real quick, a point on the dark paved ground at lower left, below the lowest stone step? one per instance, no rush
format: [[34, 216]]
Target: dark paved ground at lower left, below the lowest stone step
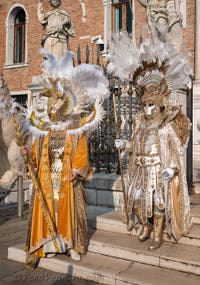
[[12, 232]]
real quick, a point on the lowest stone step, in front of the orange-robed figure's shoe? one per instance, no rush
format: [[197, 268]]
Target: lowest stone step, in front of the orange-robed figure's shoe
[[109, 270]]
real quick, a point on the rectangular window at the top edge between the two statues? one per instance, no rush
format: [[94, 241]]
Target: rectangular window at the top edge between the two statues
[[121, 16]]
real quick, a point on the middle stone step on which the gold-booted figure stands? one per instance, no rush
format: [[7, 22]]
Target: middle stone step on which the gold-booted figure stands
[[178, 257]]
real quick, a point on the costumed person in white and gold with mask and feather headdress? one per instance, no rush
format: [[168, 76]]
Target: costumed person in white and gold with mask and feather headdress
[[156, 190]]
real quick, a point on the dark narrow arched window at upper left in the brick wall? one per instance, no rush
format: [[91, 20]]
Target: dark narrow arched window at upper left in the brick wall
[[19, 37]]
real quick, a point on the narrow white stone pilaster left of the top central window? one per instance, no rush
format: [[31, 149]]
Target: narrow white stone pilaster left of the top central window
[[107, 22]]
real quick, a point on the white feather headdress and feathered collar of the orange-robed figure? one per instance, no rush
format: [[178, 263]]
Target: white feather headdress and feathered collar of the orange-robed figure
[[84, 89]]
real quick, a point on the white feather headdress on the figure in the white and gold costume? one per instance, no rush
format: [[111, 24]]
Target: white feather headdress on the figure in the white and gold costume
[[149, 62]]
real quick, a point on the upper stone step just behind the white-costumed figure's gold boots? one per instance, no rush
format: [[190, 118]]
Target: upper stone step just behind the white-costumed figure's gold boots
[[111, 221]]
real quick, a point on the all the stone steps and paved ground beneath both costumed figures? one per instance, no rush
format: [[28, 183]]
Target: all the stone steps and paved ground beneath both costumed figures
[[114, 257]]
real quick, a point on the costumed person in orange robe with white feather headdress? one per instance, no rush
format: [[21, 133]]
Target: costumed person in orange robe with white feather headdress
[[58, 156]]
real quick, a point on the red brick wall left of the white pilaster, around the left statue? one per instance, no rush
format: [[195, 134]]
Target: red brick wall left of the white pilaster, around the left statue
[[18, 78]]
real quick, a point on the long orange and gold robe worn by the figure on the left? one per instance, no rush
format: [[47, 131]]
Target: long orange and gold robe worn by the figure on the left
[[54, 156]]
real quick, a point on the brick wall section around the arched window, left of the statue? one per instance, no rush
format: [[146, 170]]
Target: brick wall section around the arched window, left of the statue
[[18, 78]]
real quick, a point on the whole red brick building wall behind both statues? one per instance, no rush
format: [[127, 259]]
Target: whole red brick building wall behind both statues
[[18, 78]]
